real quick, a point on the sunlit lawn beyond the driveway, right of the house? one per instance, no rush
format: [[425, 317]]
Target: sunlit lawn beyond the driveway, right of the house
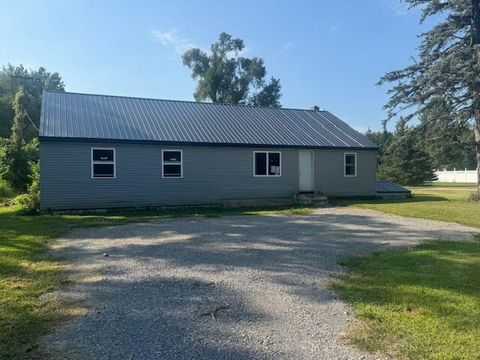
[[429, 202]]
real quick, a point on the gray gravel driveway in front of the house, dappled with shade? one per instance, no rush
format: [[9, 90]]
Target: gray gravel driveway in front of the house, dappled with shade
[[249, 287]]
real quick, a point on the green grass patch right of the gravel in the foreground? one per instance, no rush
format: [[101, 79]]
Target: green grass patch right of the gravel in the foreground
[[418, 303]]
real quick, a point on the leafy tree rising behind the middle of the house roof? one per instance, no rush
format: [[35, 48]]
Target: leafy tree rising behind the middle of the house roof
[[226, 77]]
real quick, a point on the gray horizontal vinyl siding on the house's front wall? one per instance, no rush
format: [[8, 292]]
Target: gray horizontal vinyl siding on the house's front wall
[[210, 175]]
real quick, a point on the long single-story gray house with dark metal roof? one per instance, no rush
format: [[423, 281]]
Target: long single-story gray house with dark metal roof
[[101, 151]]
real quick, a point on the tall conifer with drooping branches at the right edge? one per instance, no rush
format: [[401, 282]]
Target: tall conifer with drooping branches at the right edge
[[448, 67]]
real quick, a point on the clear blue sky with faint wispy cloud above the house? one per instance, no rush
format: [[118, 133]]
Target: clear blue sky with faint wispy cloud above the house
[[325, 53]]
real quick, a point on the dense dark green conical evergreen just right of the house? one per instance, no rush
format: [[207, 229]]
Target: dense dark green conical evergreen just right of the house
[[404, 160]]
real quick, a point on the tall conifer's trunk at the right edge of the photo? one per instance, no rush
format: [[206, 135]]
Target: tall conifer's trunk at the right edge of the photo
[[475, 87]]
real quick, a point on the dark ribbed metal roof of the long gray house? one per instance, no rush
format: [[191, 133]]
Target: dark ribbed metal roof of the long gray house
[[83, 116]]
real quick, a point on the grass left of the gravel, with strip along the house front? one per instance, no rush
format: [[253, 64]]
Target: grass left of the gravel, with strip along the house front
[[27, 269]]
